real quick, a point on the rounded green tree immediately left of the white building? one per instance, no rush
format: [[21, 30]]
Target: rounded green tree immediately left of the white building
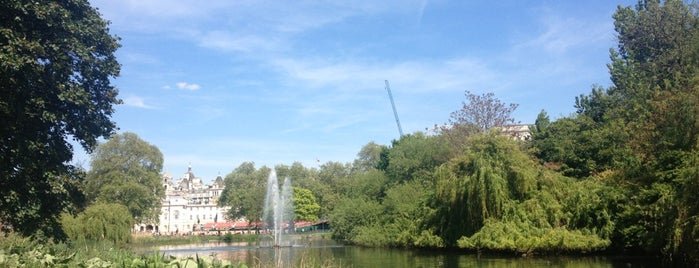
[[126, 170]]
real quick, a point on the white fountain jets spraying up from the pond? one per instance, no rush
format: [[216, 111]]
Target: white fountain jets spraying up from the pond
[[279, 206]]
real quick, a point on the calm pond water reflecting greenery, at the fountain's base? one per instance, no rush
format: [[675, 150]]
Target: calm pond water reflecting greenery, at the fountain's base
[[328, 253]]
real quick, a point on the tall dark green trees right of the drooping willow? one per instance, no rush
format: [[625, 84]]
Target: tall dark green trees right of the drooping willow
[[641, 134]]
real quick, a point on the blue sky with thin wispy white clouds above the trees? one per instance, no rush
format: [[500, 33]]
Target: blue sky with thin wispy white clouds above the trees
[[217, 83]]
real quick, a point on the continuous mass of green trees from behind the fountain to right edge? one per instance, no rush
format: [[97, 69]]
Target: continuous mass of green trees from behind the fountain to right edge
[[619, 175]]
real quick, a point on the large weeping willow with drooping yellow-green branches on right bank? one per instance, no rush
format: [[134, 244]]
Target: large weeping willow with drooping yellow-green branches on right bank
[[481, 184]]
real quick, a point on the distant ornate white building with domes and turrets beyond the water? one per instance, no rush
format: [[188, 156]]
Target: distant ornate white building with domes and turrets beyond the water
[[188, 205]]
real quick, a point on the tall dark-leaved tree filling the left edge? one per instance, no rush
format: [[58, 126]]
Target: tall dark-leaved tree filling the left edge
[[56, 62]]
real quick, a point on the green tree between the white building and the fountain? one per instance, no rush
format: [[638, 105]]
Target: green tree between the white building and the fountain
[[244, 192]]
